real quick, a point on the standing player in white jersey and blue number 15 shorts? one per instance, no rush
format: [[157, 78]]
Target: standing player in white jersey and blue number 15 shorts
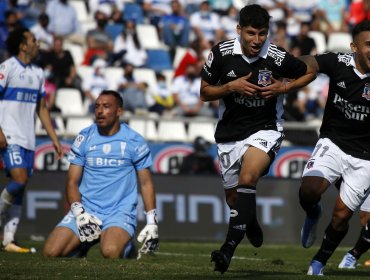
[[21, 96]]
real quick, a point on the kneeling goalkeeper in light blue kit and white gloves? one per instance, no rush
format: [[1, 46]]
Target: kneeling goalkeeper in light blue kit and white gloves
[[106, 159]]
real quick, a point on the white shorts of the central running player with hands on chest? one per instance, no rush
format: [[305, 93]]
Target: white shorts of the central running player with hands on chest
[[230, 154]]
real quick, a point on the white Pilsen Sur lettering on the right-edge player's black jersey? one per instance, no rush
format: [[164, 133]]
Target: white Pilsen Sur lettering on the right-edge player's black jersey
[[351, 111]]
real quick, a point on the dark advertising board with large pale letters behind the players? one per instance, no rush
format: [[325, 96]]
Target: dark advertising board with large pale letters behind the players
[[189, 208]]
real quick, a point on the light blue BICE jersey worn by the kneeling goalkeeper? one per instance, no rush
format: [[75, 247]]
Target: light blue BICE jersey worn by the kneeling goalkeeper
[[109, 180]]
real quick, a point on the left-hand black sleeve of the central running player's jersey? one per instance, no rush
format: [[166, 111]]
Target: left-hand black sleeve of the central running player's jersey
[[211, 70]]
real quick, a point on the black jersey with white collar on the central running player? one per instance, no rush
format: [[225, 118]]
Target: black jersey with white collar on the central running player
[[240, 116]]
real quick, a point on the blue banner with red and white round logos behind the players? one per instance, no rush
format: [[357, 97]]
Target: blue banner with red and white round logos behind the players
[[167, 158]]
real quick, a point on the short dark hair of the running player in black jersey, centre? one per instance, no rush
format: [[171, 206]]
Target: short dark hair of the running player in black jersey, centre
[[255, 16]]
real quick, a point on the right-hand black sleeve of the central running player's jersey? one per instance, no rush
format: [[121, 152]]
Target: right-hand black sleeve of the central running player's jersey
[[291, 67]]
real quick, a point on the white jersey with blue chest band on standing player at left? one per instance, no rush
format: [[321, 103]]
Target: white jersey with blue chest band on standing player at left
[[21, 87]]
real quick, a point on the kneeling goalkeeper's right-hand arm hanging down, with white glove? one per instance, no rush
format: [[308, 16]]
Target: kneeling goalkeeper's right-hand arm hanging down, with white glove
[[149, 234]]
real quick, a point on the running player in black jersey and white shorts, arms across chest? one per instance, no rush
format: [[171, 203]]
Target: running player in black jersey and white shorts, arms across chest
[[249, 131]]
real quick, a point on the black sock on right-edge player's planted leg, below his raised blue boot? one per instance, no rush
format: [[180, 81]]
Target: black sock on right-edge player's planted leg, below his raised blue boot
[[332, 238]]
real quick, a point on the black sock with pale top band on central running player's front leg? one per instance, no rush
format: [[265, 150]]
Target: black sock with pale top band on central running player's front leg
[[242, 214]]
